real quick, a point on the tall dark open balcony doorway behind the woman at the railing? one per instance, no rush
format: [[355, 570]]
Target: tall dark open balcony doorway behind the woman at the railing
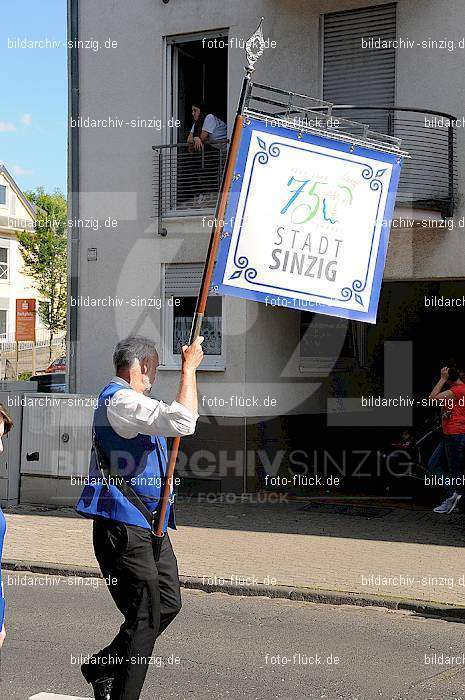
[[196, 71]]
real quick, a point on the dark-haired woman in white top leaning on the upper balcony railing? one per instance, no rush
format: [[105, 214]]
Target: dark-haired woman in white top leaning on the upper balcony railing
[[207, 143]]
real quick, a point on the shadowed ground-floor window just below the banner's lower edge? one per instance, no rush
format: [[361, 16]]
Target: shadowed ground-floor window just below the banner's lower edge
[[330, 344]]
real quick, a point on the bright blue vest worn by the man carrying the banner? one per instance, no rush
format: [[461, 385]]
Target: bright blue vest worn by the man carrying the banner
[[141, 460]]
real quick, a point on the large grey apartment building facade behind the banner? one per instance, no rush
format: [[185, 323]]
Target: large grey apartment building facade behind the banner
[[276, 384]]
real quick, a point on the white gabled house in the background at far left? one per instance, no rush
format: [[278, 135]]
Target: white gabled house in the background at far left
[[16, 213]]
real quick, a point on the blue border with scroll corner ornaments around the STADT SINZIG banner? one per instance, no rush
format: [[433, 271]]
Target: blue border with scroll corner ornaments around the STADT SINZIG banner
[[280, 296]]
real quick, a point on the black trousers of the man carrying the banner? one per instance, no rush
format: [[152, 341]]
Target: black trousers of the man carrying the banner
[[146, 593]]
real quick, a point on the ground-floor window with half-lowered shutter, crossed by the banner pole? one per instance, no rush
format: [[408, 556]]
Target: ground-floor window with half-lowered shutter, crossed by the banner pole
[[182, 283]]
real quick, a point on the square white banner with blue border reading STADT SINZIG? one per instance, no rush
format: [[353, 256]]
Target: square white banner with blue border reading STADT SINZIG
[[307, 223]]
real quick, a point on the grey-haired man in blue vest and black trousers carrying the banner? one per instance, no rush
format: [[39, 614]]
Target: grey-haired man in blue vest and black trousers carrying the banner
[[122, 495]]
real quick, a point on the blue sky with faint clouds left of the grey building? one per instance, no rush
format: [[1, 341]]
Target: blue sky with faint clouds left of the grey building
[[33, 94]]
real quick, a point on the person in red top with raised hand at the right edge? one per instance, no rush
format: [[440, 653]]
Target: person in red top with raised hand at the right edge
[[448, 459]]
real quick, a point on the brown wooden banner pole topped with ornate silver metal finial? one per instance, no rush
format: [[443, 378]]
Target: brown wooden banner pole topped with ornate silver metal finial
[[254, 49]]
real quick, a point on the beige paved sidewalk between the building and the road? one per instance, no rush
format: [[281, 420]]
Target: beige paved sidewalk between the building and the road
[[249, 547]]
